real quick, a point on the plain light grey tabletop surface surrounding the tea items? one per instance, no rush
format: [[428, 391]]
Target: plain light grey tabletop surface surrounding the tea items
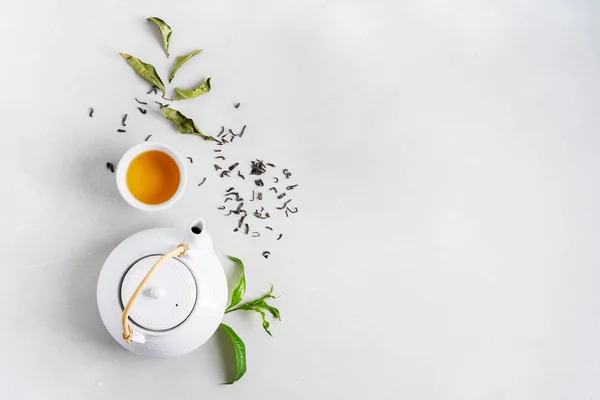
[[447, 156]]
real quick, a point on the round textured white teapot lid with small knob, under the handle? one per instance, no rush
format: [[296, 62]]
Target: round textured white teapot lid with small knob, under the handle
[[169, 298]]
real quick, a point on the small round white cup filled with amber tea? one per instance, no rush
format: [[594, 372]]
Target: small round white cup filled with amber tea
[[151, 176]]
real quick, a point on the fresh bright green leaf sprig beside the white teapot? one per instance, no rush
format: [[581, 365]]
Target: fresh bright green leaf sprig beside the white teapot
[[259, 305]]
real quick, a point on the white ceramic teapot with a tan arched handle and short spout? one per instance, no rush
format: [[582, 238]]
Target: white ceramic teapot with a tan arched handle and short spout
[[155, 304]]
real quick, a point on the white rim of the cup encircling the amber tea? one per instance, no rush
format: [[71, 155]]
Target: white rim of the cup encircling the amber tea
[[125, 162]]
